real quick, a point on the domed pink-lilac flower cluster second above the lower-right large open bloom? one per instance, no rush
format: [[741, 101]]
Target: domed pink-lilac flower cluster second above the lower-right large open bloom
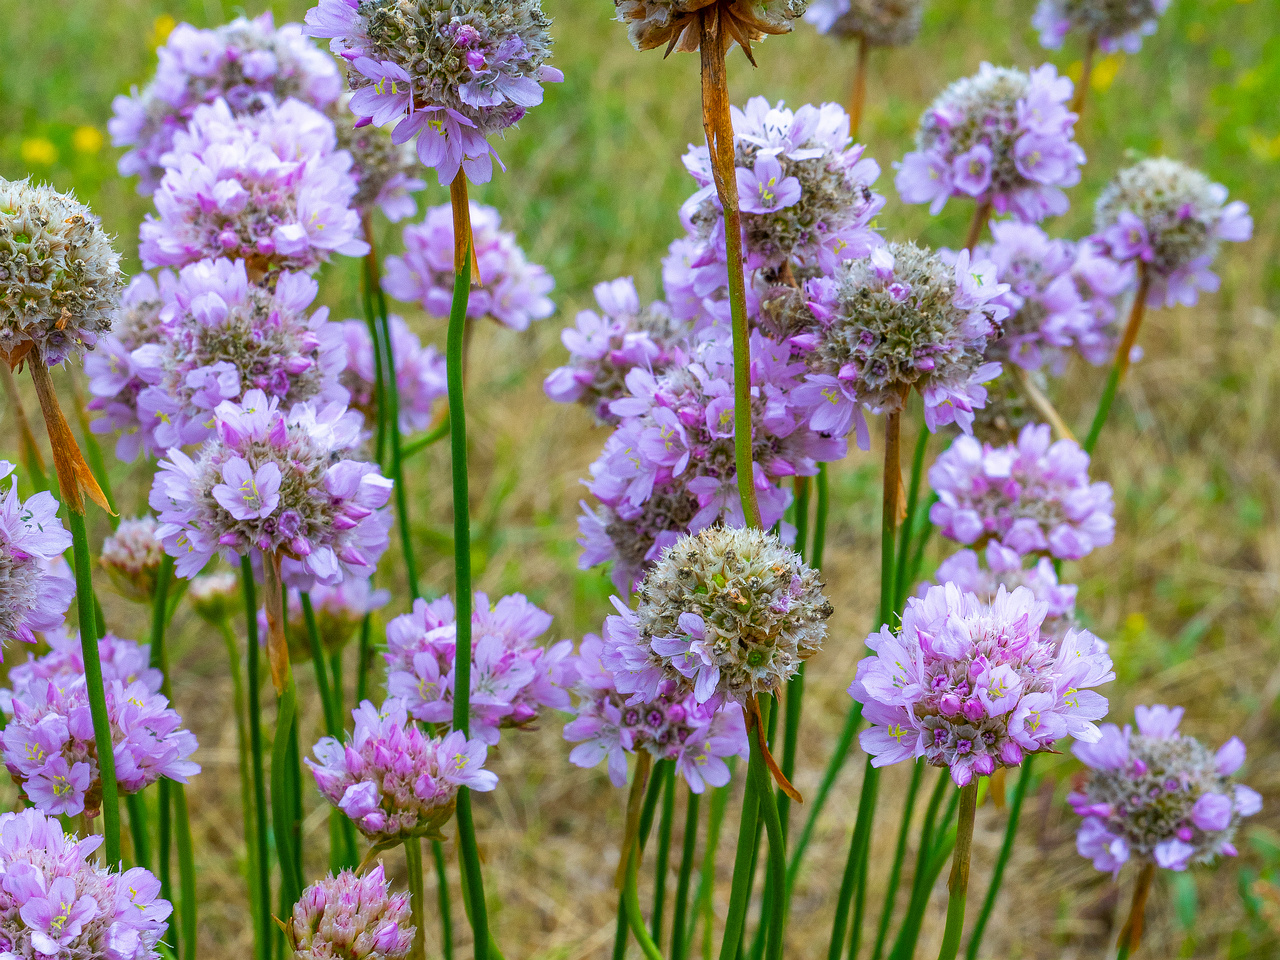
[[1032, 496]]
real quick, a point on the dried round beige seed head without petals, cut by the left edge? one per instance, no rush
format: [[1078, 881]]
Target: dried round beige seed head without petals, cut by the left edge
[[60, 275]]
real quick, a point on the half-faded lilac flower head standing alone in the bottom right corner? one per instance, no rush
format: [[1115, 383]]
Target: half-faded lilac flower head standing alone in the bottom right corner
[[1159, 797]]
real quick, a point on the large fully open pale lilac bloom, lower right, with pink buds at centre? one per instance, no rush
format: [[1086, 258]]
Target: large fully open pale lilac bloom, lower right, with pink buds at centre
[[973, 687]]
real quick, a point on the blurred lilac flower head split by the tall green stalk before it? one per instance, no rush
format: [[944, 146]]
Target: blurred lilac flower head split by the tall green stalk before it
[[513, 291]]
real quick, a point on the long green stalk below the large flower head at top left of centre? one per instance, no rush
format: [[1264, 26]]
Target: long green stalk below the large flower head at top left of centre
[[474, 889]]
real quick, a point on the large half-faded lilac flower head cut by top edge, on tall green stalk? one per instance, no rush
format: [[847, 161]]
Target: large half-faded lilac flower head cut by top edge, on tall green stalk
[[451, 76]]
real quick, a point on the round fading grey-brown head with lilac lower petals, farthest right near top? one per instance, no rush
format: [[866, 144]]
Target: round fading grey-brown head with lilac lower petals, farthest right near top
[[1173, 220]]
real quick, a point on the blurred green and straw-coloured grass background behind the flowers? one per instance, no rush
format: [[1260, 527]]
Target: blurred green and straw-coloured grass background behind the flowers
[[1188, 595]]
